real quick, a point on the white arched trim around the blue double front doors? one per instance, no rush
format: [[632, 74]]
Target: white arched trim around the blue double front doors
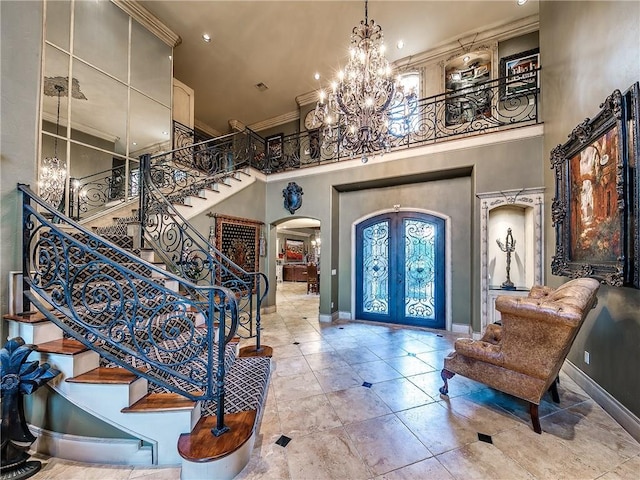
[[447, 248]]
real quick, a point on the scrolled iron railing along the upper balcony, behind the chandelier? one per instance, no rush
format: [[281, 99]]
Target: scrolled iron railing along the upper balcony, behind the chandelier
[[470, 111]]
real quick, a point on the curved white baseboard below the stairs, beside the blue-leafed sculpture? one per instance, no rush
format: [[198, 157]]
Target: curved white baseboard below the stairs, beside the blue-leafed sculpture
[[114, 451]]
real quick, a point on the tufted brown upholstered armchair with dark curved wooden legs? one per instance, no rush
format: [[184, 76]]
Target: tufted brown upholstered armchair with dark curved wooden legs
[[523, 355]]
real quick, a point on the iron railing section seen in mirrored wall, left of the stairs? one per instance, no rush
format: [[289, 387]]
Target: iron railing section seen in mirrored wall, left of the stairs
[[93, 193]]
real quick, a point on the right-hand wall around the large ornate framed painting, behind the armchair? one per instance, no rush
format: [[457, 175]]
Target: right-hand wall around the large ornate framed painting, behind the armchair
[[600, 52]]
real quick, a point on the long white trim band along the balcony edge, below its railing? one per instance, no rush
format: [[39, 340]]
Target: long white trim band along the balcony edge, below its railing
[[475, 141]]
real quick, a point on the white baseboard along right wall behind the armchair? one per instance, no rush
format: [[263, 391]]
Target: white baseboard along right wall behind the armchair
[[613, 407]]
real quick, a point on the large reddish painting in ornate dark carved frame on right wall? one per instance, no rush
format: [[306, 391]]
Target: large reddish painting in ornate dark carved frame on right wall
[[590, 211]]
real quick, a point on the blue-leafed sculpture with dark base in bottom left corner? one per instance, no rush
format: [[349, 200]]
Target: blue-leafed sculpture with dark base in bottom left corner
[[17, 379]]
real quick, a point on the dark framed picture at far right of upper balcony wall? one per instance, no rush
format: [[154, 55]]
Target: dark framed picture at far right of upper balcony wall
[[520, 73]]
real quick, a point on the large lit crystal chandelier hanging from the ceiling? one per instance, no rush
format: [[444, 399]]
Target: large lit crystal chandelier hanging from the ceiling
[[355, 113]]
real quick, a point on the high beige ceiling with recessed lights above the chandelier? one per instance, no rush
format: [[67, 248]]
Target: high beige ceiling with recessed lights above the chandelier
[[283, 43]]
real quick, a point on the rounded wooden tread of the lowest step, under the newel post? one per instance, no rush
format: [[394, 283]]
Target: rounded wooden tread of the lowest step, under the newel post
[[202, 446]]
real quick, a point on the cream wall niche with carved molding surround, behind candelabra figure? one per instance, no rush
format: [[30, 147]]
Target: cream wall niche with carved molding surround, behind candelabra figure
[[521, 210]]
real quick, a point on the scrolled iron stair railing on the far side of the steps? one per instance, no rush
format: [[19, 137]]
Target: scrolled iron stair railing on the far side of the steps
[[181, 246]]
